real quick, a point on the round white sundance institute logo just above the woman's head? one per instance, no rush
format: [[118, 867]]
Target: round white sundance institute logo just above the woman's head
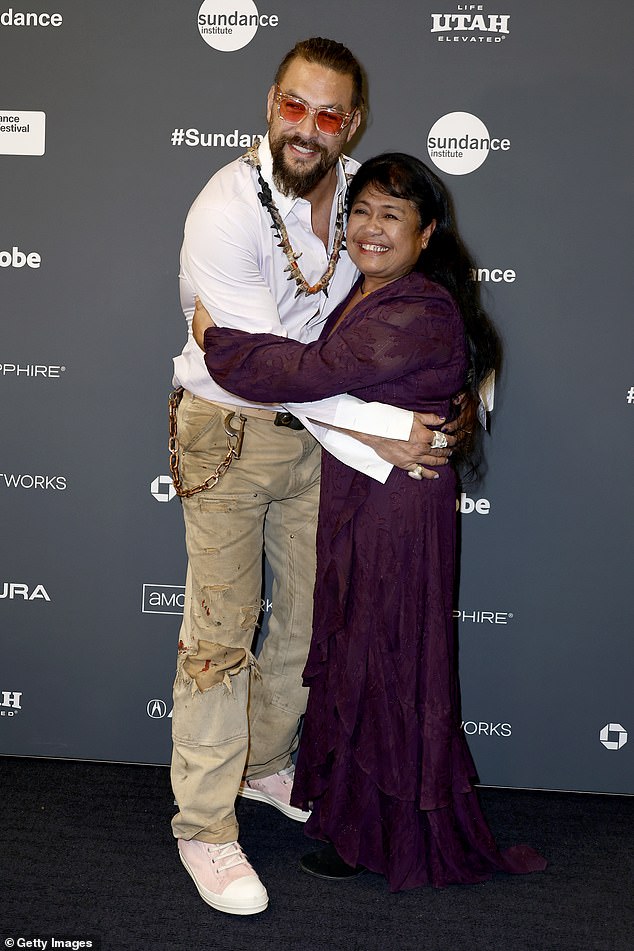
[[459, 143]]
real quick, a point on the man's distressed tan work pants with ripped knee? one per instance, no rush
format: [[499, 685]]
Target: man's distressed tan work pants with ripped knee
[[232, 714]]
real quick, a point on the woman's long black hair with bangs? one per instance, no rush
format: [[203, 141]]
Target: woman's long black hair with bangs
[[446, 261]]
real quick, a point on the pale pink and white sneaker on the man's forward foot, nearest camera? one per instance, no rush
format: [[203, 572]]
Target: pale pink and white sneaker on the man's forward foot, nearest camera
[[223, 876]]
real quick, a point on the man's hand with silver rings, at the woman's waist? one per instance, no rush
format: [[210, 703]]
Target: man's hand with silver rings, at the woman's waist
[[415, 453]]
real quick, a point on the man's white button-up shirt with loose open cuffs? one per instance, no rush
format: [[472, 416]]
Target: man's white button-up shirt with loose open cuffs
[[230, 258]]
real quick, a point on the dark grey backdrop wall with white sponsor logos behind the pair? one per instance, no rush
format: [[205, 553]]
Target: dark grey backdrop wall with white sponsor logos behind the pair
[[112, 117]]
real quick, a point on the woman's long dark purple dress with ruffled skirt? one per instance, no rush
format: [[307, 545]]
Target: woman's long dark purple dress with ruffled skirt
[[383, 759]]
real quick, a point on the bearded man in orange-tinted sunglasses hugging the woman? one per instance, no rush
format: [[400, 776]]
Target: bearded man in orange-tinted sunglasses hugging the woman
[[263, 251]]
